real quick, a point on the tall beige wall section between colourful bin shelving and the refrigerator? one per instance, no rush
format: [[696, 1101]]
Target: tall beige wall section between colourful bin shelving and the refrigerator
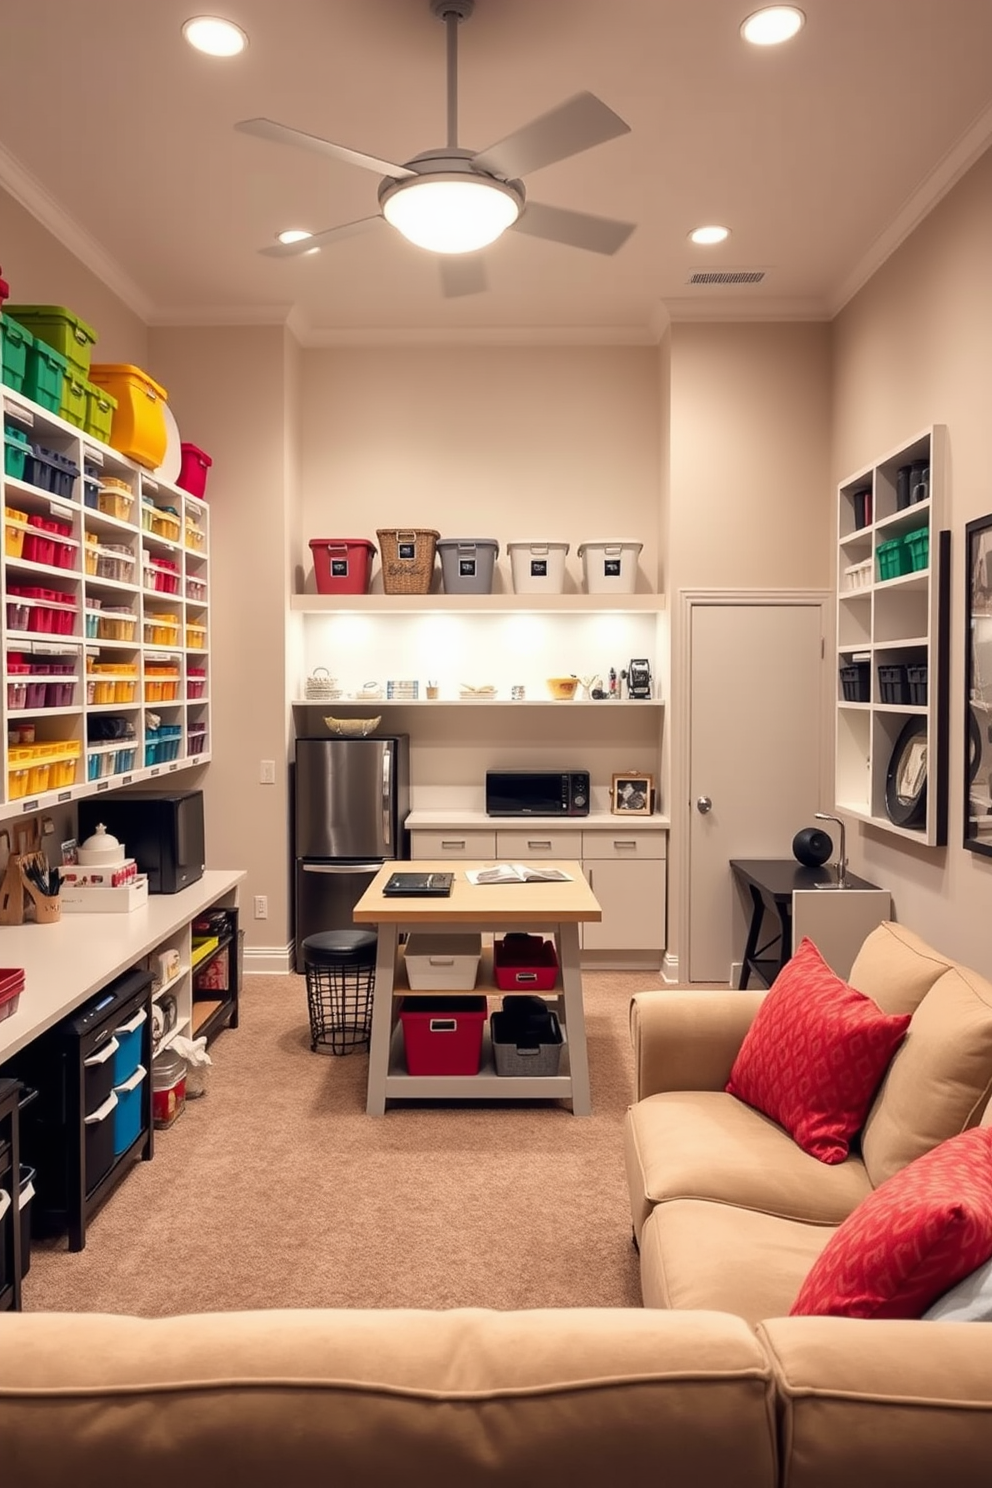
[[228, 394]]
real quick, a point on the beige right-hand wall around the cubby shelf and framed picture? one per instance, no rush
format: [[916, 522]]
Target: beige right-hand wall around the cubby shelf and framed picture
[[912, 349]]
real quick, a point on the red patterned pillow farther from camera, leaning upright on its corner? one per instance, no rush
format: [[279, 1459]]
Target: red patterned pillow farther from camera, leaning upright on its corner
[[816, 1054]]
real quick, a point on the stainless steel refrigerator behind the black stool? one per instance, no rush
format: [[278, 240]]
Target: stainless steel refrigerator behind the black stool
[[352, 800]]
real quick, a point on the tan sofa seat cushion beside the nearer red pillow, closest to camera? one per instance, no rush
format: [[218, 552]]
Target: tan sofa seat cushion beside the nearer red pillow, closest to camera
[[703, 1255]]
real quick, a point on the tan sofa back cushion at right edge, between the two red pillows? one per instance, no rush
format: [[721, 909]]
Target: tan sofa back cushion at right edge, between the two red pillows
[[939, 1081]]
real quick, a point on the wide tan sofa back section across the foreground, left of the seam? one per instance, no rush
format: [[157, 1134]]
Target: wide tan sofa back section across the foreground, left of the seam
[[578, 1396]]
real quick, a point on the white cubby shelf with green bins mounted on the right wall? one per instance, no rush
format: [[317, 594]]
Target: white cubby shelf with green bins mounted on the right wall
[[893, 597]]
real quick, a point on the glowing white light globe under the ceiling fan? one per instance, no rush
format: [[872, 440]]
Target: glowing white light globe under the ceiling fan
[[450, 215]]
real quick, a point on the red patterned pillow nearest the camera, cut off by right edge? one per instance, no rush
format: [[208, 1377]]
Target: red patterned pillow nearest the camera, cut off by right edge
[[915, 1237]]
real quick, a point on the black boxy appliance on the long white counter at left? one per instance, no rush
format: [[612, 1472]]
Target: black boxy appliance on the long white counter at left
[[163, 833]]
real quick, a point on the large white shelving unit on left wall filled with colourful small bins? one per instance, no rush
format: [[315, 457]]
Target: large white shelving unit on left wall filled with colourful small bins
[[154, 630]]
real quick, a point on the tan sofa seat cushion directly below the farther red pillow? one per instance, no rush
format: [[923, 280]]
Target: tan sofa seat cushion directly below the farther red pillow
[[707, 1145]]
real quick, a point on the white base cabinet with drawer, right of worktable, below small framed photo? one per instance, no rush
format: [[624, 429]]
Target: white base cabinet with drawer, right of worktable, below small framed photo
[[627, 873]]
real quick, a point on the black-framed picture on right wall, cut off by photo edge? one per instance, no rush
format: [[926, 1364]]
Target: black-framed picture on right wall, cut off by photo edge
[[978, 670]]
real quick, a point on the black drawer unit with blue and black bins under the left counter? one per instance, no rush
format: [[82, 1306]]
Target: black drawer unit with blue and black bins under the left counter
[[68, 1133]]
